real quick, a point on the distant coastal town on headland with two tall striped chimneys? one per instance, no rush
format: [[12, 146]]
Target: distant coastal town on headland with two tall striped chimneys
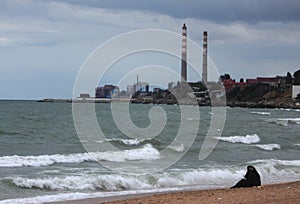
[[260, 92]]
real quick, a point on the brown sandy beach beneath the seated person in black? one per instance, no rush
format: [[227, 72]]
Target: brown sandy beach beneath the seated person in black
[[282, 193]]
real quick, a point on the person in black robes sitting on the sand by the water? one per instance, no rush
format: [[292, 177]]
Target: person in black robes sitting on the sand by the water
[[251, 179]]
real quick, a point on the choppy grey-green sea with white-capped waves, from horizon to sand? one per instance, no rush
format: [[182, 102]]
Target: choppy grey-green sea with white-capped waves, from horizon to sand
[[43, 158]]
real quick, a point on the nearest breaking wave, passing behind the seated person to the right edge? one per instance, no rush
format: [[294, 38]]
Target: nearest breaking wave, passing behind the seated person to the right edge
[[270, 170]]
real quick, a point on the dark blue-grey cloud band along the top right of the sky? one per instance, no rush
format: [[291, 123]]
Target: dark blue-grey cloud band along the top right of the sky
[[250, 11]]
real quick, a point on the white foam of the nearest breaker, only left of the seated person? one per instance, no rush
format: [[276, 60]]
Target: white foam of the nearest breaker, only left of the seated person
[[122, 182]]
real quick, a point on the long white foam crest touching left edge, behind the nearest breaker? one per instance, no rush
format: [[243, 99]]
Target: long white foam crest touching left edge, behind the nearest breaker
[[147, 152]]
